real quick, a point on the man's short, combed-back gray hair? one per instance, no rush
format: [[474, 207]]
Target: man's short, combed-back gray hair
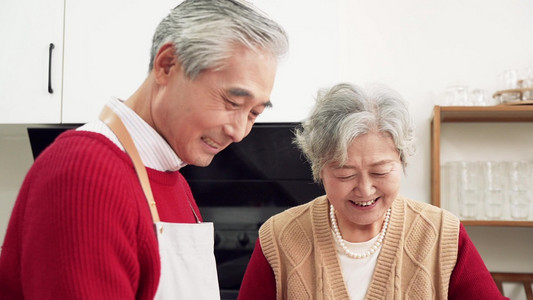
[[204, 33]]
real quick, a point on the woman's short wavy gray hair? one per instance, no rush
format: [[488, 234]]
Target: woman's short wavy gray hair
[[345, 112]]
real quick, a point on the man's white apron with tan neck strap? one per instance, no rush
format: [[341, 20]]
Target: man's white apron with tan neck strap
[[188, 268]]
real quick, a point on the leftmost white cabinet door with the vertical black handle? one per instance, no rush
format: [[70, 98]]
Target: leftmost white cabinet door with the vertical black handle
[[27, 30]]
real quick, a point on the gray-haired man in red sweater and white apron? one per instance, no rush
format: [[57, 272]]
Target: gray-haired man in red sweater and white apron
[[104, 212]]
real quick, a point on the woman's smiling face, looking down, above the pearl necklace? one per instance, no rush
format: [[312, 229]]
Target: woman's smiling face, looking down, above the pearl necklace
[[364, 188]]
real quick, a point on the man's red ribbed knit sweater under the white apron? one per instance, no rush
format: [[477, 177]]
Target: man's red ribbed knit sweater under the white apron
[[81, 227]]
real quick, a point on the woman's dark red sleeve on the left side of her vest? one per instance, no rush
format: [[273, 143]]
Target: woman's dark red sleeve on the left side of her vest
[[258, 282]]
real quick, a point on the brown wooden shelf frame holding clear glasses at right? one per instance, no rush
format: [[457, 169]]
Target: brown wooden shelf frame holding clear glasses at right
[[465, 114]]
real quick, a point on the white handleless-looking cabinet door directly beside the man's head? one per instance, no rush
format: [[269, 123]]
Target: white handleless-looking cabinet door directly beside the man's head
[[107, 52]]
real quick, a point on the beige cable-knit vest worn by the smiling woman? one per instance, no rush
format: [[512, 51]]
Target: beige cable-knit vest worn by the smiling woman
[[416, 260]]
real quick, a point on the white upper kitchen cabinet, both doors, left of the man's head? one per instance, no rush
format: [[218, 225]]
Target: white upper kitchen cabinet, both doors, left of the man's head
[[106, 54]]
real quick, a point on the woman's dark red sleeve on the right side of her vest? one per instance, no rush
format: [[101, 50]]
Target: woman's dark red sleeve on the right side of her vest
[[470, 278]]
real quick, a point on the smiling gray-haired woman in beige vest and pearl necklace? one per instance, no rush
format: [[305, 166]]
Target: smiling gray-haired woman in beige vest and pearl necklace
[[362, 240]]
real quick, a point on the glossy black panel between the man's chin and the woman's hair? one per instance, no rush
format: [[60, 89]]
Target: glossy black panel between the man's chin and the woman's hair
[[264, 170]]
